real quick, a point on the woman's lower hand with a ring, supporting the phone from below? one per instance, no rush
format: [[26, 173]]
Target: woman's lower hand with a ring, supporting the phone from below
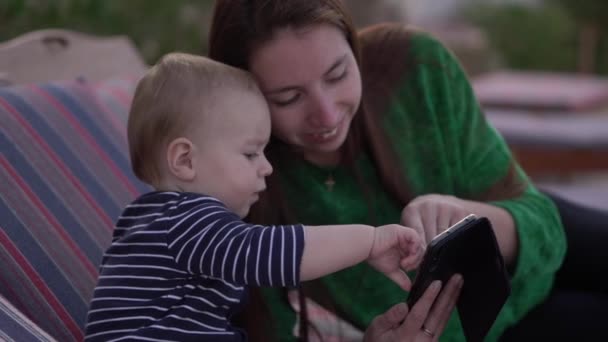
[[424, 322]]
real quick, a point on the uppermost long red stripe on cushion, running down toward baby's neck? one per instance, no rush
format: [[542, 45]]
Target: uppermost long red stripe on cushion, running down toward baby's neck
[[70, 118]]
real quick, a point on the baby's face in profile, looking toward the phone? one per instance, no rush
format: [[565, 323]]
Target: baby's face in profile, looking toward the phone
[[230, 163]]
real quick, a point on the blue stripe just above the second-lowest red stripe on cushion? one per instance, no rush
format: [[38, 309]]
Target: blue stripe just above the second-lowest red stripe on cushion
[[52, 202]]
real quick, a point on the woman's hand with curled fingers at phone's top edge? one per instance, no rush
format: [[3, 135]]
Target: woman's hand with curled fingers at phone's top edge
[[432, 214]]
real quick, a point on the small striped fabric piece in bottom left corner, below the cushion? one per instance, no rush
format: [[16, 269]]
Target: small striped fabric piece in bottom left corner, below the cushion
[[14, 326]]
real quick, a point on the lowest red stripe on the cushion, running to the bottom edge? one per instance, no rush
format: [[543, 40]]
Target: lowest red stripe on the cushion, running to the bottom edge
[[41, 286]]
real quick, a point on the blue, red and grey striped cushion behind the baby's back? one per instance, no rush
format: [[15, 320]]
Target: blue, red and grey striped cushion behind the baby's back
[[64, 178]]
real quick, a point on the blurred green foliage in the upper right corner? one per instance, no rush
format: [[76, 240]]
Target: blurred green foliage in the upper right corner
[[544, 37]]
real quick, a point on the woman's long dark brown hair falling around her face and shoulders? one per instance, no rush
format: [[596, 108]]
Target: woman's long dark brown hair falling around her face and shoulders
[[238, 27]]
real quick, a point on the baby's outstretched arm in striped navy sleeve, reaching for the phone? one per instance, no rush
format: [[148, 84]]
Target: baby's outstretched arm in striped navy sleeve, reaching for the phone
[[210, 241]]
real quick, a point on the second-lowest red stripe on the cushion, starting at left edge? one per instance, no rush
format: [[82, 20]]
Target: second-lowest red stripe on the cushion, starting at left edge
[[51, 219]]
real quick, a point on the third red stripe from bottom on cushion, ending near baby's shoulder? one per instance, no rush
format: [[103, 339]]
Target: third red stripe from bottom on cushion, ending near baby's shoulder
[[109, 223]]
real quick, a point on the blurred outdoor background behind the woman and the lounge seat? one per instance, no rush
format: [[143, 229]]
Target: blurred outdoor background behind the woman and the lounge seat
[[539, 67]]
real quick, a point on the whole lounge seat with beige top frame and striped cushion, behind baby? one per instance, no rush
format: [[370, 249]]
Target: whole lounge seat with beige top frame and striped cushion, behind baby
[[64, 174]]
